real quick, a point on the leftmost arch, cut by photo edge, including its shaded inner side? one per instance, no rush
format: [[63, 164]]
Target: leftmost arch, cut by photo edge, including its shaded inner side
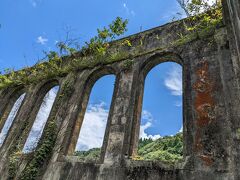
[[10, 111]]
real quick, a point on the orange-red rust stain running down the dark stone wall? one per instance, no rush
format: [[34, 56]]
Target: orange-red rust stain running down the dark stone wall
[[204, 106]]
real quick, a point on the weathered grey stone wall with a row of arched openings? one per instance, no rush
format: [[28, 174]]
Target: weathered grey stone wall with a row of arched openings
[[211, 100]]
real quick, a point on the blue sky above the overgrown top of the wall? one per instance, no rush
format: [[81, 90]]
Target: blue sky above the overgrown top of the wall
[[30, 26]]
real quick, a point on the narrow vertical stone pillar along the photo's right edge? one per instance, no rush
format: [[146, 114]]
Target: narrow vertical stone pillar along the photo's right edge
[[232, 20]]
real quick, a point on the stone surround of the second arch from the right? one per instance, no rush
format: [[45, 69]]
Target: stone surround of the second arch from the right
[[92, 78]]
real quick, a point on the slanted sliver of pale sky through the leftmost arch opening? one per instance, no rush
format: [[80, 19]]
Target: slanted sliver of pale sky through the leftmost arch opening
[[10, 118]]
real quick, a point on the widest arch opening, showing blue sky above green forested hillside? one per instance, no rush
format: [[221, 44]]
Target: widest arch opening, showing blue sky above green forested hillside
[[159, 135]]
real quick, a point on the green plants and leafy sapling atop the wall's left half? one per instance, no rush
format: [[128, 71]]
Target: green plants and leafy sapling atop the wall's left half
[[53, 64]]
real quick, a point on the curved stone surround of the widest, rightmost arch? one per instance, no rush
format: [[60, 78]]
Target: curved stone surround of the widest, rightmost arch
[[145, 67]]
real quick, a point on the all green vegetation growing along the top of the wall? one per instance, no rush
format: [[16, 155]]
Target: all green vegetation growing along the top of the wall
[[95, 51]]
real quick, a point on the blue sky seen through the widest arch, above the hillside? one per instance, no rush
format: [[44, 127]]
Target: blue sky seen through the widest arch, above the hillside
[[162, 100]]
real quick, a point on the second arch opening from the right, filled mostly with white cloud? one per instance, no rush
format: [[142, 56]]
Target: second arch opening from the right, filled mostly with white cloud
[[92, 128]]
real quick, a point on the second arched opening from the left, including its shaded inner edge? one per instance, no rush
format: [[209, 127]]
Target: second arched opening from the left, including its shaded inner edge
[[48, 94]]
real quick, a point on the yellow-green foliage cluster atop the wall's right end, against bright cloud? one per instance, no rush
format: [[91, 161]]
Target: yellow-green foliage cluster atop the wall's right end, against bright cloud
[[204, 17]]
